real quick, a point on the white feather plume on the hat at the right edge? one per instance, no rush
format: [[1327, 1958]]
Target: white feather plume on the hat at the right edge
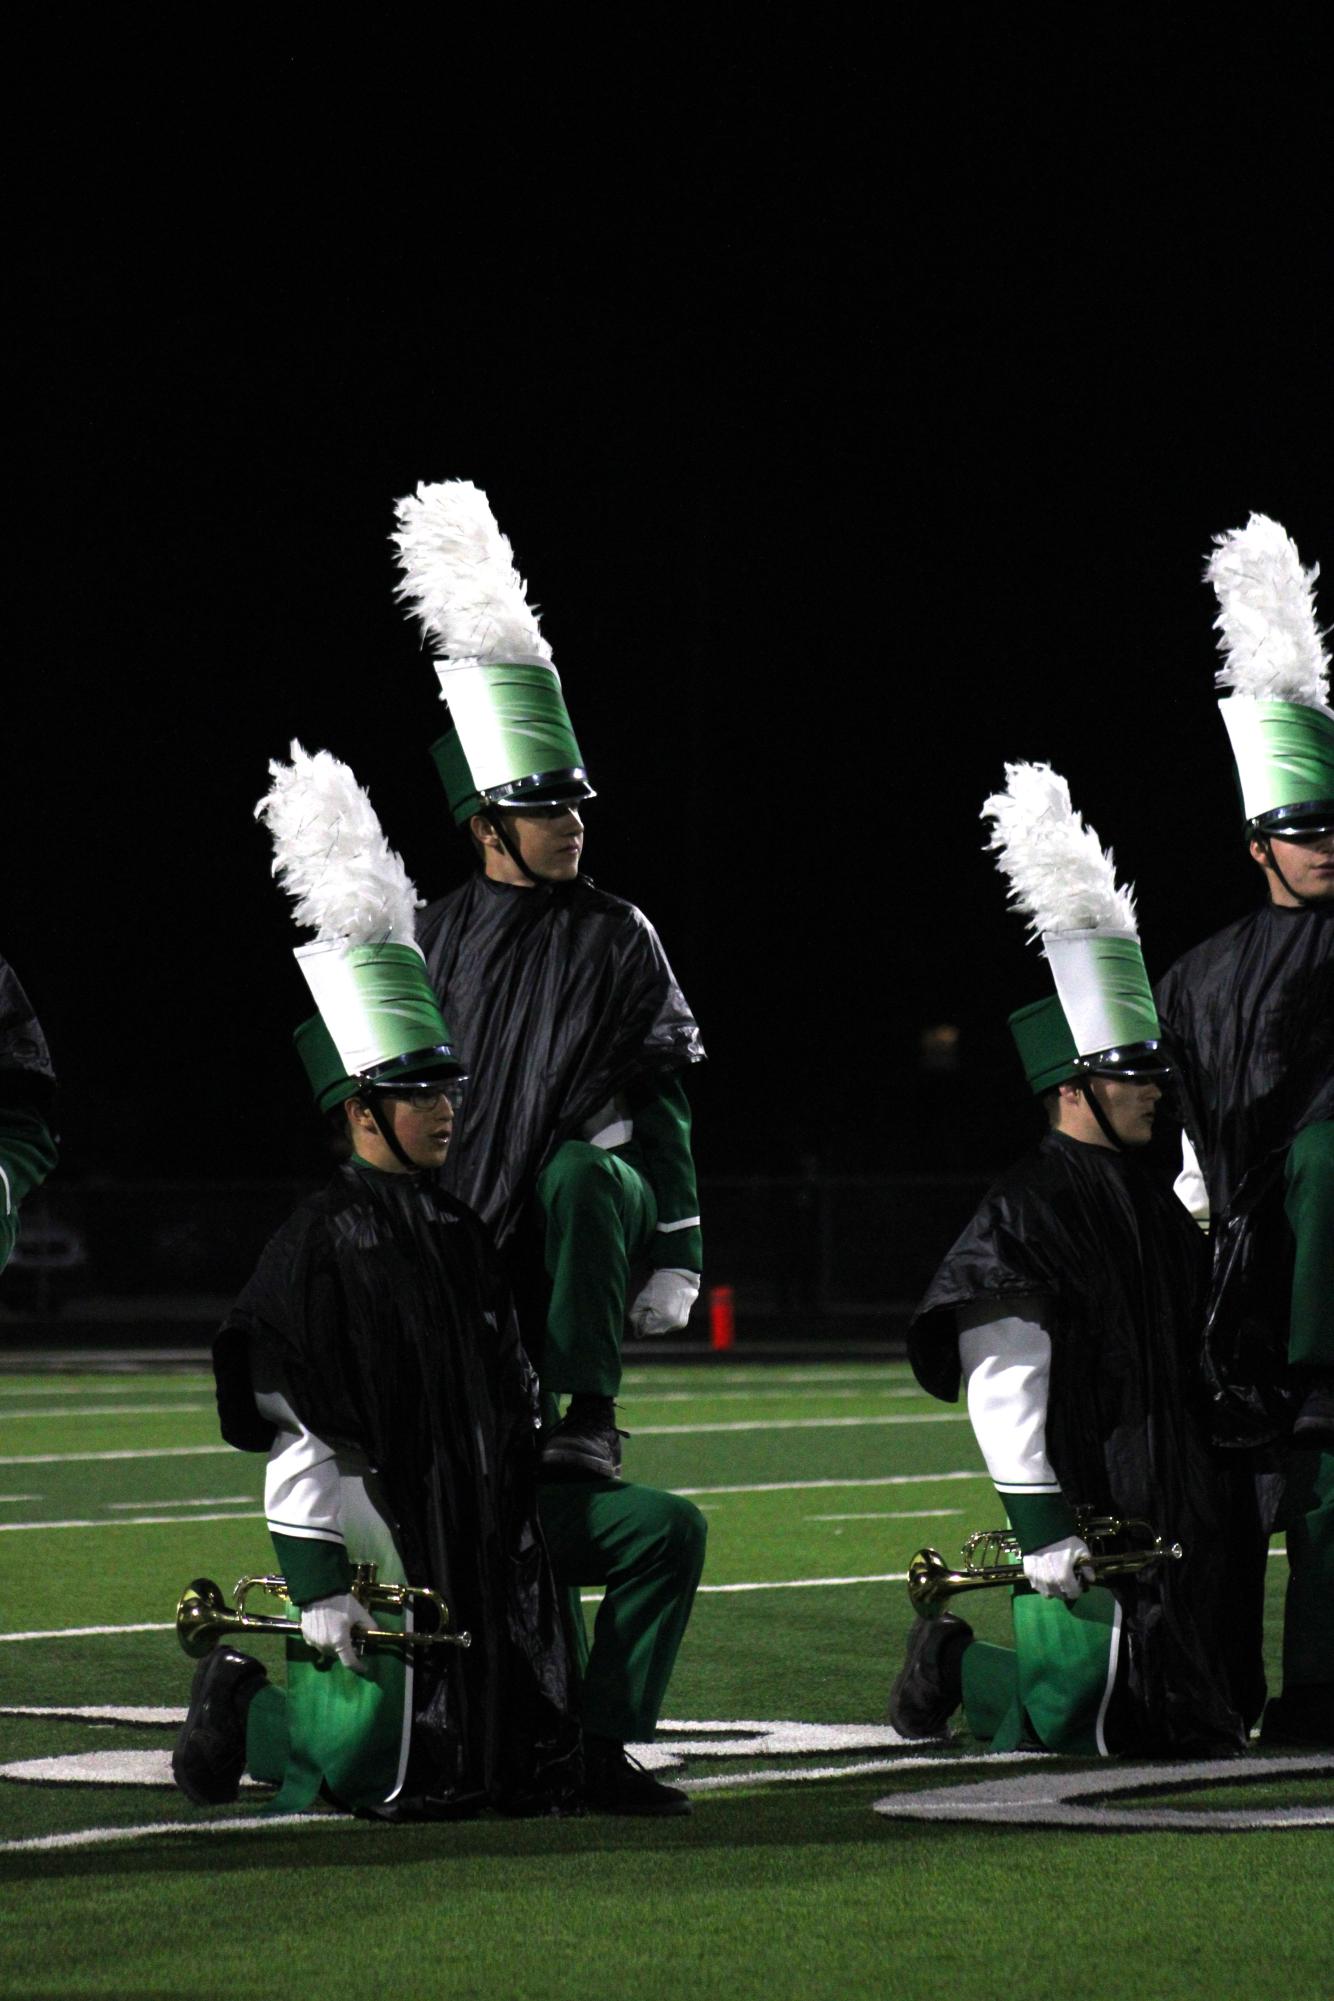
[[1267, 617]]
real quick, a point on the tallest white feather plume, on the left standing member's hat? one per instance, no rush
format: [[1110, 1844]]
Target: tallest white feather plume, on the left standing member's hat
[[459, 577]]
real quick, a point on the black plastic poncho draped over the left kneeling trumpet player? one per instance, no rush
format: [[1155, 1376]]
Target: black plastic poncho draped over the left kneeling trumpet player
[[395, 1336]]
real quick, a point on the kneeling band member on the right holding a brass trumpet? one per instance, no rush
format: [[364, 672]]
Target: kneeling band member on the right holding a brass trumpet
[[1069, 1308]]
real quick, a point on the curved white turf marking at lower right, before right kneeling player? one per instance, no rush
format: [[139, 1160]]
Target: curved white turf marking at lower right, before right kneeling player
[[1063, 1800]]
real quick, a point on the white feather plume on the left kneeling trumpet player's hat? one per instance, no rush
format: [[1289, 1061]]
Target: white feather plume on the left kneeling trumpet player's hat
[[331, 853]]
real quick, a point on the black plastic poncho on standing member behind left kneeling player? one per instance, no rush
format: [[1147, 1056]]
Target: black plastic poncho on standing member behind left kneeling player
[[559, 997]]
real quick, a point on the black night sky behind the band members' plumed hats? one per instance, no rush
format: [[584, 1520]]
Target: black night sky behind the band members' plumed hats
[[859, 411]]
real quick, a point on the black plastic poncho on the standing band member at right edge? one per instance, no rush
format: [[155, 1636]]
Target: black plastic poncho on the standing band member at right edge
[[1249, 1020]]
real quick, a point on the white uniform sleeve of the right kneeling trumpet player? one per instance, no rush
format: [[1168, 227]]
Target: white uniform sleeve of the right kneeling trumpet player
[[1007, 1360]]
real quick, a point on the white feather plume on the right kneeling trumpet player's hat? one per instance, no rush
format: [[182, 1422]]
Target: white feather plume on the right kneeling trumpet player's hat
[[1061, 877]]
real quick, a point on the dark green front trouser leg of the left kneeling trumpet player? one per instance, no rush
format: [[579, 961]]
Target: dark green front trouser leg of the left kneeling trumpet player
[[649, 1550]]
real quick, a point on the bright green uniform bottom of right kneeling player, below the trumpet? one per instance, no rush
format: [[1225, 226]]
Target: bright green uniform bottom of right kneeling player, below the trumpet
[[1055, 1684]]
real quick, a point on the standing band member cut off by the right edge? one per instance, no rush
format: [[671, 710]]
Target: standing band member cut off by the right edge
[[1251, 1024]]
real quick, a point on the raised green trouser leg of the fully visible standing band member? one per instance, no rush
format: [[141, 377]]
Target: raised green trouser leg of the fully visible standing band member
[[599, 1218]]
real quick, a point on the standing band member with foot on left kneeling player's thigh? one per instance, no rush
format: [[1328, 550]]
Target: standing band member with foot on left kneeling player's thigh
[[575, 1140]]
